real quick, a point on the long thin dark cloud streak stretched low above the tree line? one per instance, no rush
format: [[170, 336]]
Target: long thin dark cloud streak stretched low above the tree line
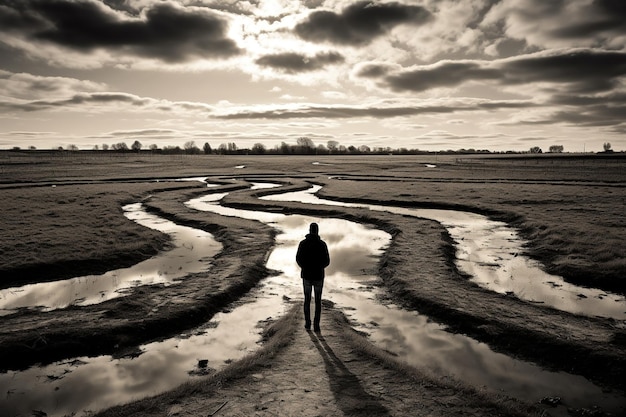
[[345, 112]]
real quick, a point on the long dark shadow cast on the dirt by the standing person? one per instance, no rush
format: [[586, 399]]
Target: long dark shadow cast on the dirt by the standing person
[[349, 395]]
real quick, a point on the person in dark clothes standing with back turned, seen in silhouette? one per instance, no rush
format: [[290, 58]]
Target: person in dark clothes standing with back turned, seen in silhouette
[[312, 257]]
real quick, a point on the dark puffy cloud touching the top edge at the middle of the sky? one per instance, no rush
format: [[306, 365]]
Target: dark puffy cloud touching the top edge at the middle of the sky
[[359, 23]]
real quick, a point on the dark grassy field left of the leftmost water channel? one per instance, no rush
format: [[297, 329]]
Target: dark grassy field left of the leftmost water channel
[[71, 230]]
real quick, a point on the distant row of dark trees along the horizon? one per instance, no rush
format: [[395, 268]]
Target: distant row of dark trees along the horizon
[[303, 146]]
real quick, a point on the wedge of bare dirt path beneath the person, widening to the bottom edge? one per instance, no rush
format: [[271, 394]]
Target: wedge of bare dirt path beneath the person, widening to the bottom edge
[[333, 373]]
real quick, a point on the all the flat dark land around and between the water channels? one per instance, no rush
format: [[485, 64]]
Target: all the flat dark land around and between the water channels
[[62, 217]]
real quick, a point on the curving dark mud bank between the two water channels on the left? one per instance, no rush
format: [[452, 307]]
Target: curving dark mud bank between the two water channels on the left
[[118, 326]]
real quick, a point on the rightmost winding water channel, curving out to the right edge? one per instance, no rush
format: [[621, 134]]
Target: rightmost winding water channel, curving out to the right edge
[[491, 253]]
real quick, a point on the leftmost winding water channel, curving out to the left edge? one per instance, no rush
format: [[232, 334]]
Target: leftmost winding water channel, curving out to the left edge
[[192, 252]]
